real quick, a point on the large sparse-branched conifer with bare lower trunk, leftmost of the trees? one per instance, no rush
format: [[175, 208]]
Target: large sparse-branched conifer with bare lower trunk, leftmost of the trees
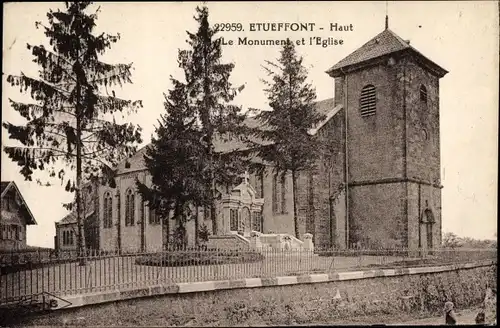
[[71, 122]]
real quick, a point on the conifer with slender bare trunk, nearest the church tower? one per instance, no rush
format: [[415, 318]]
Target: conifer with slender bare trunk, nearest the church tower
[[287, 139]]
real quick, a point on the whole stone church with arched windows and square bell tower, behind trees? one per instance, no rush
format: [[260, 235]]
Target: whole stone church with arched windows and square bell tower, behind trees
[[378, 185]]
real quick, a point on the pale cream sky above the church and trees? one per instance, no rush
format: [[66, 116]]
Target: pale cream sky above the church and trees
[[460, 36]]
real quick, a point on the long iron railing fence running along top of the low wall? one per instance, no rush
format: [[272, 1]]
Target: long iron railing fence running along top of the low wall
[[63, 273]]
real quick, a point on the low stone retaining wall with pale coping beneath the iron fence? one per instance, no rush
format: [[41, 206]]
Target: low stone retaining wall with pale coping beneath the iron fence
[[288, 300]]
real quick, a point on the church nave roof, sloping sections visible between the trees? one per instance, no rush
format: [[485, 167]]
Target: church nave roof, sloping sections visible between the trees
[[136, 161]]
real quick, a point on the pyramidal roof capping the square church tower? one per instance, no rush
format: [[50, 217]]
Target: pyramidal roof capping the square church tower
[[385, 43]]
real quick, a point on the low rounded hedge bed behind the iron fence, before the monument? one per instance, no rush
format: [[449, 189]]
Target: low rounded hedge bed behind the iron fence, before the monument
[[199, 257]]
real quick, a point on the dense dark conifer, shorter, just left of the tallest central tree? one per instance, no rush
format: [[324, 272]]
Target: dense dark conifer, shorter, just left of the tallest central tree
[[174, 160]]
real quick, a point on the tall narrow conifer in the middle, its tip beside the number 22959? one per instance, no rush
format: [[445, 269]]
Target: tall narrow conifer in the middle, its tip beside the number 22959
[[210, 93]]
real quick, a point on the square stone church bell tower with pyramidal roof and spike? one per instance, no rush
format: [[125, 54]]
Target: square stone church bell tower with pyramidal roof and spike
[[390, 94]]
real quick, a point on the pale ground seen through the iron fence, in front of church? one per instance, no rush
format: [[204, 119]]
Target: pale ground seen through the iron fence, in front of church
[[111, 273]]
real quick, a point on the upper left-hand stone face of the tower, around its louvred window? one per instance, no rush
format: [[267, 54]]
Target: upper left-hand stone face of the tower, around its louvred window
[[375, 143]]
